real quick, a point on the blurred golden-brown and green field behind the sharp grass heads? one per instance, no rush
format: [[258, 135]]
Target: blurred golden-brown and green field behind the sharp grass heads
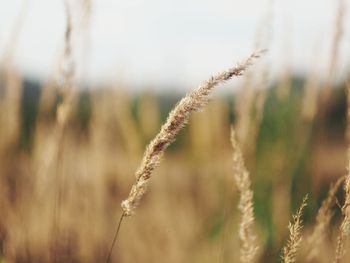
[[61, 185]]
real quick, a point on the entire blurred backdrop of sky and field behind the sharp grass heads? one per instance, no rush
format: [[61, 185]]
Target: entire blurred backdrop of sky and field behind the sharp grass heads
[[85, 85]]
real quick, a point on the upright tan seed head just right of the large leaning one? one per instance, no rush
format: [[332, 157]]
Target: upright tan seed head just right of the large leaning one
[[248, 248]]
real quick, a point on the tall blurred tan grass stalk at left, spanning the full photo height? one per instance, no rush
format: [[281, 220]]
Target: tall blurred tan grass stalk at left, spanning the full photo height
[[56, 150]]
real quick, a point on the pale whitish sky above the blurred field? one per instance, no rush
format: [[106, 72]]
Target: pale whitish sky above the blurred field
[[179, 43]]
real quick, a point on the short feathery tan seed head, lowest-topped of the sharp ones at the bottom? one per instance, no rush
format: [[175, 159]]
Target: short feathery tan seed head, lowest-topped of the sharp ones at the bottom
[[295, 227]]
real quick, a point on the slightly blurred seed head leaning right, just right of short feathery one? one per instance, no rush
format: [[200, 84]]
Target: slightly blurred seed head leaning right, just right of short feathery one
[[323, 218]]
